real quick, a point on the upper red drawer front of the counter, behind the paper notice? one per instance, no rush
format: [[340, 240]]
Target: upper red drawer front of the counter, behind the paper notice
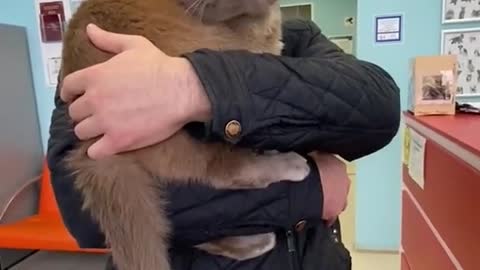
[[451, 200]]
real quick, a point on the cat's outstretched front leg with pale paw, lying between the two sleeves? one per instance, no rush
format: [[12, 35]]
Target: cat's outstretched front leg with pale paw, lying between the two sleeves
[[182, 159]]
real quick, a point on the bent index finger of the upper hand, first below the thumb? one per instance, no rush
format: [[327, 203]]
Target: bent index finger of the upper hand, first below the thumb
[[74, 85]]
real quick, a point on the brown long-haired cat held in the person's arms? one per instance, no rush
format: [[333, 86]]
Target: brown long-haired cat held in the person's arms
[[123, 193]]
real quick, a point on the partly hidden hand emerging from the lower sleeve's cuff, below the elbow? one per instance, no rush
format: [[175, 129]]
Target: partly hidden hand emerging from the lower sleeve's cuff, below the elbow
[[335, 185]]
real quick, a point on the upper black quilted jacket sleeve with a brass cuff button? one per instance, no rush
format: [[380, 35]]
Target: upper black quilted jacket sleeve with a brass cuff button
[[314, 97]]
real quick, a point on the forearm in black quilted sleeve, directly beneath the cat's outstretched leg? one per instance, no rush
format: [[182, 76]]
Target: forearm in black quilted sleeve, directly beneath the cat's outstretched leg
[[216, 213]]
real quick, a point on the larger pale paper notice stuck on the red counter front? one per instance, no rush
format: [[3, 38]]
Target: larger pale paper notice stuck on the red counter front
[[416, 162]]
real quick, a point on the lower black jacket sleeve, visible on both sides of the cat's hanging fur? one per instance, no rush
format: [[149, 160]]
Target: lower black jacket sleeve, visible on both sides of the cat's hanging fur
[[198, 213]]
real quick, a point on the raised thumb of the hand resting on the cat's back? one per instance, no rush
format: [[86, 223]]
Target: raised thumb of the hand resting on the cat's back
[[109, 41]]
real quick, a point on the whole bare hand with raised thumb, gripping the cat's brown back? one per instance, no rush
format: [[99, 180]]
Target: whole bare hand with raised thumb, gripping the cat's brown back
[[138, 98]]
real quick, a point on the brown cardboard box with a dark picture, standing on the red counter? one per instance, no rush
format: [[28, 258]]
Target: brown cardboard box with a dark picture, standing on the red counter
[[433, 85]]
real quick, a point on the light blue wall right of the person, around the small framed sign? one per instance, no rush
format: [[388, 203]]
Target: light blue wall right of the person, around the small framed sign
[[379, 175]]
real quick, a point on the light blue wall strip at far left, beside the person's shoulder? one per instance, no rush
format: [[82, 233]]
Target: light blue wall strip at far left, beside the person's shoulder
[[22, 13]]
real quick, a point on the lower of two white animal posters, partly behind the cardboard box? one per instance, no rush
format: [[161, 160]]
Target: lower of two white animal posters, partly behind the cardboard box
[[465, 45]]
